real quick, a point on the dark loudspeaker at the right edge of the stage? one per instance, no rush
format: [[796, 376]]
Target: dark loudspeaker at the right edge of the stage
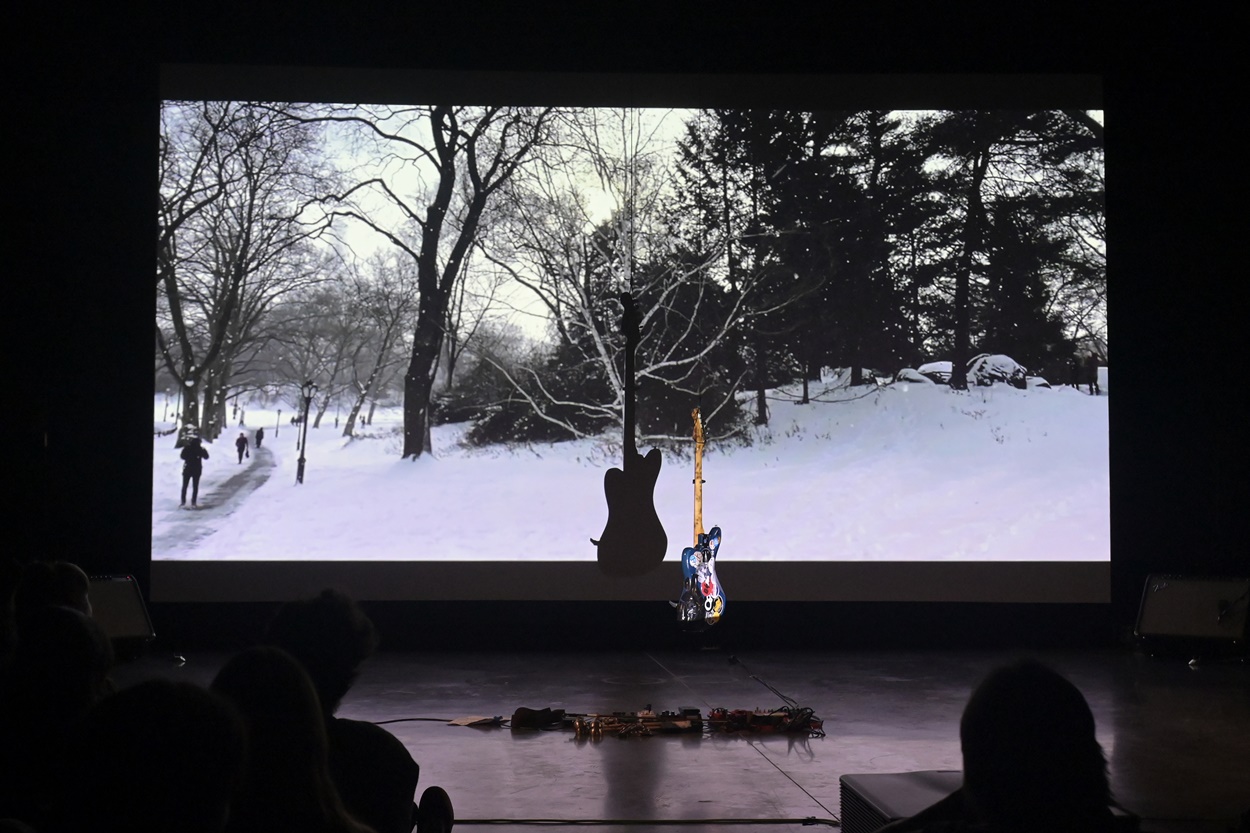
[[1194, 610]]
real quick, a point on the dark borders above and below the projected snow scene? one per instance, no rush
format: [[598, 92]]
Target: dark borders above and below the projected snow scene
[[961, 582]]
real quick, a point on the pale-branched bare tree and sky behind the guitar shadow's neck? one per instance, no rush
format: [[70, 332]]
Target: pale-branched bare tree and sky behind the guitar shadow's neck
[[592, 220]]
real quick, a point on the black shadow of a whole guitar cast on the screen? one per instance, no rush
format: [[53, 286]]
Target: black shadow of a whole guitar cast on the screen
[[633, 542]]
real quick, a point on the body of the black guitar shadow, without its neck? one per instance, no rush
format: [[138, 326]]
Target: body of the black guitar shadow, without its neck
[[634, 541]]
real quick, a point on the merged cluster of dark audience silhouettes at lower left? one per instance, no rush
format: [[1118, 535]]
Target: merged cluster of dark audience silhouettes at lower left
[[262, 751]]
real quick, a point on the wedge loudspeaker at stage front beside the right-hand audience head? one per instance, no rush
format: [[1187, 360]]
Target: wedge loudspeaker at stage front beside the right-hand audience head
[[873, 801]]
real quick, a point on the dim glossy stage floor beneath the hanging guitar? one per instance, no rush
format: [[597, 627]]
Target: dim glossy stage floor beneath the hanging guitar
[[1177, 737]]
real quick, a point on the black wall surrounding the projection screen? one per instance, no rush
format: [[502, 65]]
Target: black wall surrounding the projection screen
[[79, 288]]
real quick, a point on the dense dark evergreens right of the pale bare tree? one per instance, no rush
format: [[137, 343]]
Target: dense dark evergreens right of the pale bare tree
[[817, 203]]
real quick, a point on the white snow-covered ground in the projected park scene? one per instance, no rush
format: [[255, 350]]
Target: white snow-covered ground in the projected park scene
[[907, 472]]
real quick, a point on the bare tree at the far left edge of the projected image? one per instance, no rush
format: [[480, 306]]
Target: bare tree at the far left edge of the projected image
[[223, 265]]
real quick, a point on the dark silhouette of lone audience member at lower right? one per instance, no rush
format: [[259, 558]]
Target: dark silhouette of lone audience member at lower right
[[1032, 761]]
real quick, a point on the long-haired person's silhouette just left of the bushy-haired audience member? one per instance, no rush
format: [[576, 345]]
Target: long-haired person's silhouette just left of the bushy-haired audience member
[[287, 784]]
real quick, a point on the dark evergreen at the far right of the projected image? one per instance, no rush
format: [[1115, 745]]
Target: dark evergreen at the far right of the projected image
[[1023, 191]]
